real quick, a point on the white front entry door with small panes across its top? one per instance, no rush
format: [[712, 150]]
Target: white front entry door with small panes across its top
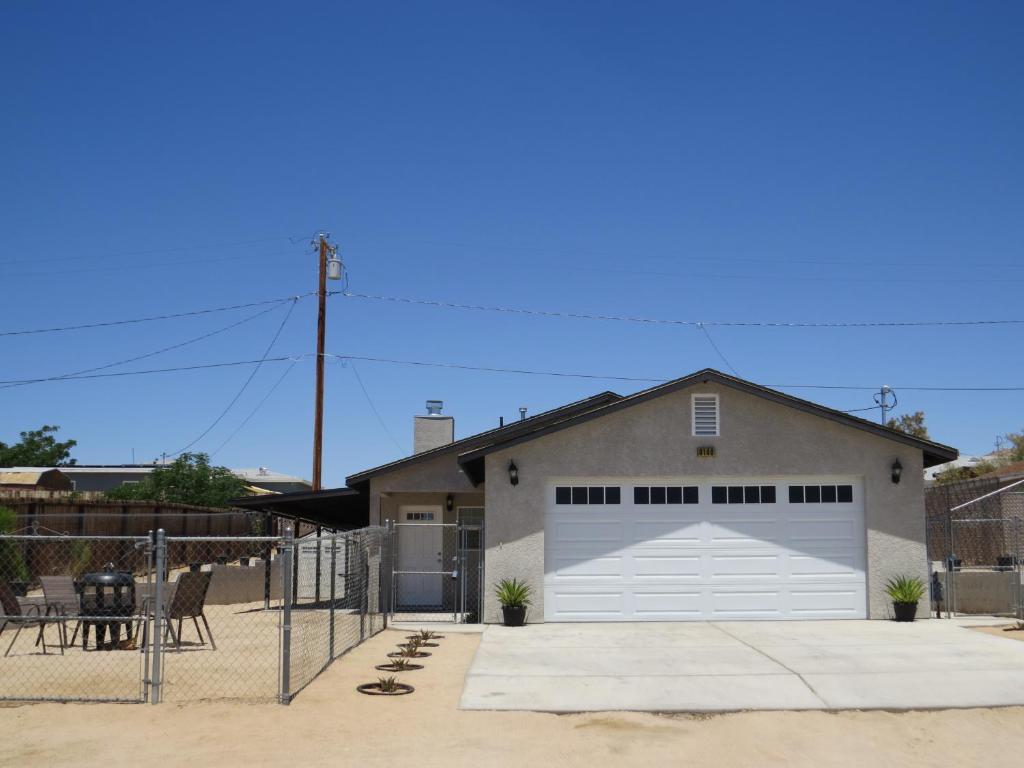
[[420, 546]]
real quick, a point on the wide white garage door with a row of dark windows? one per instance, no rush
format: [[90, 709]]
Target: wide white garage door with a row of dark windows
[[721, 549]]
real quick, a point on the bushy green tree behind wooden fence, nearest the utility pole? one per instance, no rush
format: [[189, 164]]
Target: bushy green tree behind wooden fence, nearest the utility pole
[[190, 480]]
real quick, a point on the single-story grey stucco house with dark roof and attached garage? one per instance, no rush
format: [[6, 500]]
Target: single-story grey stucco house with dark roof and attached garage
[[705, 498]]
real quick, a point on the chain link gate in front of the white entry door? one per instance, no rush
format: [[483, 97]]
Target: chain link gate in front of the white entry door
[[437, 572]]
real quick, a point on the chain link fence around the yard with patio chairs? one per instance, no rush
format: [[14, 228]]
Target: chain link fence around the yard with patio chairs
[[183, 619]]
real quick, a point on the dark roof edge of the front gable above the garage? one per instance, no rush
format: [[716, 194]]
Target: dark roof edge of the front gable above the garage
[[935, 453]]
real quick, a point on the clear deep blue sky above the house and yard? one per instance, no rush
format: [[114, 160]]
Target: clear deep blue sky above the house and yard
[[715, 161]]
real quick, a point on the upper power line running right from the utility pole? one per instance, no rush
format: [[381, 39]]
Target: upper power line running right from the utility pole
[[669, 322]]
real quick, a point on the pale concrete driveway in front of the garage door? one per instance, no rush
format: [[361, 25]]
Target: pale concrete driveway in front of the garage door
[[730, 666]]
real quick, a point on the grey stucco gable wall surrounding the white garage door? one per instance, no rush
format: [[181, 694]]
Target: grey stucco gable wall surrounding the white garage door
[[758, 438]]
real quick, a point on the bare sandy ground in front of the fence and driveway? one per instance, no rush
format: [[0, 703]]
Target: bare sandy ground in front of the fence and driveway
[[330, 724]]
